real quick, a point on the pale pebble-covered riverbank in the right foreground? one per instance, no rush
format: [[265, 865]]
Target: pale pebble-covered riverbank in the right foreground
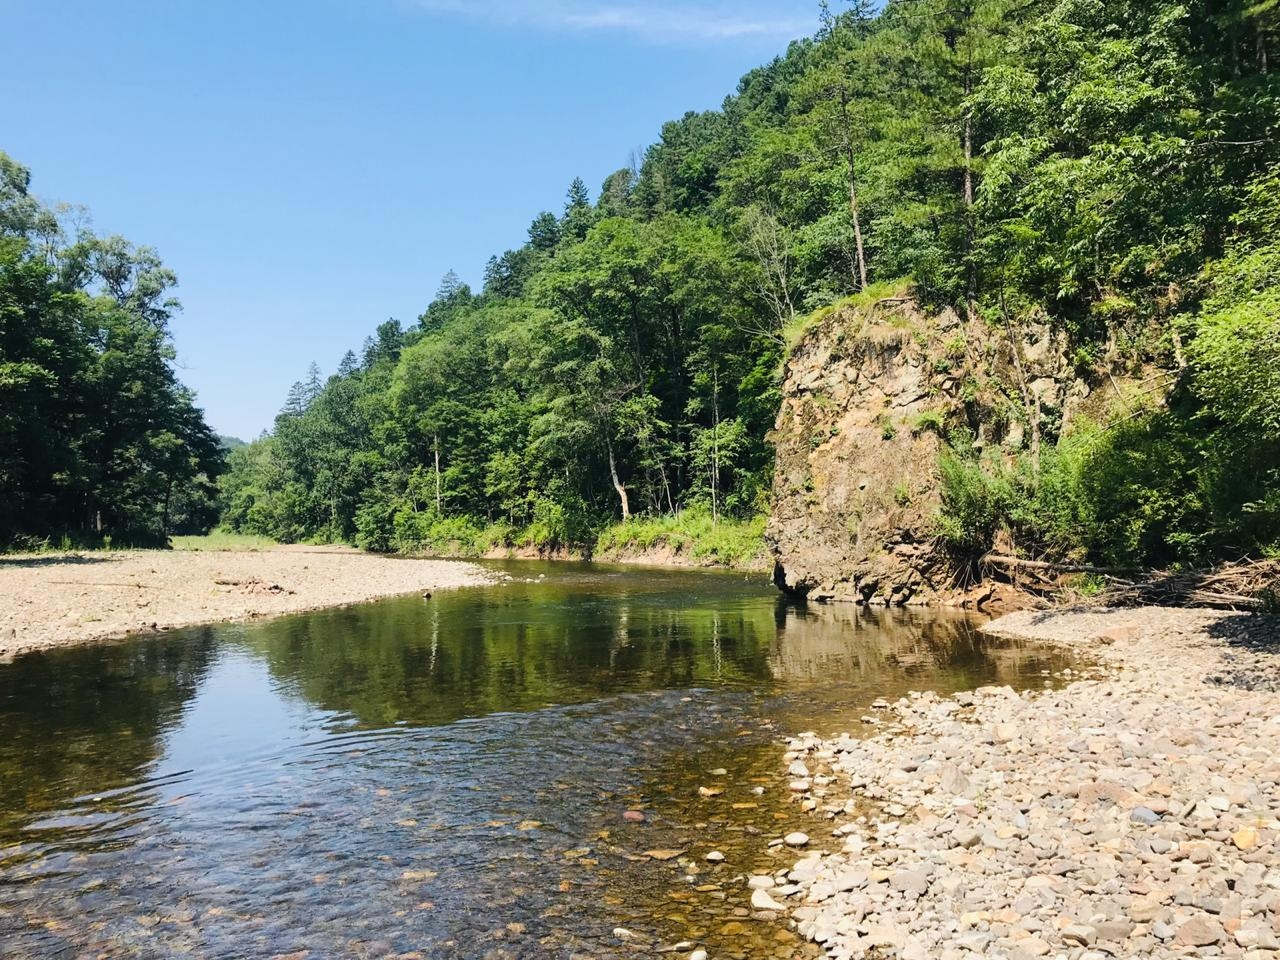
[[1132, 812]]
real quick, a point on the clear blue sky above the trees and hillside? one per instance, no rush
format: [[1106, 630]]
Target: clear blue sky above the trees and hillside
[[312, 168]]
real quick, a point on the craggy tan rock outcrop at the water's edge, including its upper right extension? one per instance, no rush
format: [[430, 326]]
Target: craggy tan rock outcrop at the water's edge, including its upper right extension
[[867, 394]]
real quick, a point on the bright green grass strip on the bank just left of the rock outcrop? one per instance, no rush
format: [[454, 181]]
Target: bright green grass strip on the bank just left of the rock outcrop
[[730, 543]]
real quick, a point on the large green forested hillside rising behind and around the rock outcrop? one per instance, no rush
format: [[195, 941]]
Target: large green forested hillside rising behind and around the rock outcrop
[[1109, 168]]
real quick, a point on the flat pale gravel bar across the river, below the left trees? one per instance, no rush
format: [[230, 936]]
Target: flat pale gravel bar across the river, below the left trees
[[56, 600]]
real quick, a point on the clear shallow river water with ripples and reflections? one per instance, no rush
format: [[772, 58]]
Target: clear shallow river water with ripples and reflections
[[446, 776]]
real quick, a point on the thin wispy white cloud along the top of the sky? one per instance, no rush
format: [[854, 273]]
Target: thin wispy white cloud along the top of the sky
[[656, 22]]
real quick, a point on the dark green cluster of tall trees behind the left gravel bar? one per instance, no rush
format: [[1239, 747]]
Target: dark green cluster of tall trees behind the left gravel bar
[[98, 437]]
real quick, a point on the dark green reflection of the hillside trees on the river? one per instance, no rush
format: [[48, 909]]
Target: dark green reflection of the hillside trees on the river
[[528, 644]]
